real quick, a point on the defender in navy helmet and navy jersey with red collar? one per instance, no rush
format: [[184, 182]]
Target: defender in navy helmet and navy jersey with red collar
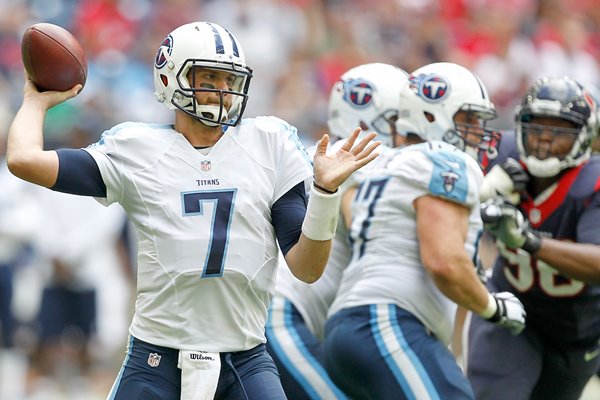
[[549, 250]]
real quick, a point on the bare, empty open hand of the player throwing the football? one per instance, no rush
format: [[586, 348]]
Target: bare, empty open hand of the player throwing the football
[[331, 170]]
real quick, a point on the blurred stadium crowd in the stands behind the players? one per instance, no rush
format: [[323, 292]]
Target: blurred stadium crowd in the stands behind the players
[[297, 48]]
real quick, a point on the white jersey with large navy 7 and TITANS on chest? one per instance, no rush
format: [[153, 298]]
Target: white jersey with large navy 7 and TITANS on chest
[[207, 251]]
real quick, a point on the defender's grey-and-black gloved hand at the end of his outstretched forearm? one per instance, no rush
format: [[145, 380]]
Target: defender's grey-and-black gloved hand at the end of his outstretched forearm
[[508, 225]]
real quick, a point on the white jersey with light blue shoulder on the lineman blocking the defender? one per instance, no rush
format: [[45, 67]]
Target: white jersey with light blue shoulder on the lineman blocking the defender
[[386, 266]]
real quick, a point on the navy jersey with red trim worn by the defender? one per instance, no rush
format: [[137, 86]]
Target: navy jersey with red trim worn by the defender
[[563, 310]]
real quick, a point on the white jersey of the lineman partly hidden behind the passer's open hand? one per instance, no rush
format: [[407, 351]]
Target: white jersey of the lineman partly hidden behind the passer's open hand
[[313, 300]]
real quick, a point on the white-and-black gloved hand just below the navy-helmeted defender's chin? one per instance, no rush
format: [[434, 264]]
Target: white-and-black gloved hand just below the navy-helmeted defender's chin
[[508, 180]]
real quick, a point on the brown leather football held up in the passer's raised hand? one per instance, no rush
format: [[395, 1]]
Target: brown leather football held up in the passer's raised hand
[[53, 57]]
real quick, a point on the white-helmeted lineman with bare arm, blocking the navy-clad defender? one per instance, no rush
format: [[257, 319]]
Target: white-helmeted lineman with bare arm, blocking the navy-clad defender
[[414, 228]]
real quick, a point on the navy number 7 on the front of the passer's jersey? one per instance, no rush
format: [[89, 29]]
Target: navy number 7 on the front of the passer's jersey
[[193, 204]]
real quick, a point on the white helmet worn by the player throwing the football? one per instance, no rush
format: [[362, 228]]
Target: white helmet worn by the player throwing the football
[[206, 45]]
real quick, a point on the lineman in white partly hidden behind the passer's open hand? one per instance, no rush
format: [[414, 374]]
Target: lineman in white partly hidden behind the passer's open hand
[[365, 96]]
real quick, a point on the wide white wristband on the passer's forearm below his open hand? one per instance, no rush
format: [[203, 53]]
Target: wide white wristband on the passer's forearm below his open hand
[[320, 221]]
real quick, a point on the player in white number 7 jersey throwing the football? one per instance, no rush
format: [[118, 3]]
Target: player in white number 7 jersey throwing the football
[[211, 197]]
